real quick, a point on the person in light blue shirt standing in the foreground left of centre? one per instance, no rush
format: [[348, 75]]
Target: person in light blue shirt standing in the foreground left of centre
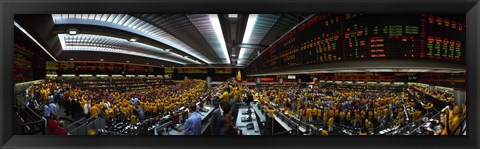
[[193, 125]]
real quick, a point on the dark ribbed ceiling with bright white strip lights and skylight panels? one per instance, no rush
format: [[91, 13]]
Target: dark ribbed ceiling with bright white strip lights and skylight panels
[[230, 40]]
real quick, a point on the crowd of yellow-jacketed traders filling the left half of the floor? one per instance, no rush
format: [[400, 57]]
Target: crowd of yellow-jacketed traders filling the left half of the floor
[[128, 106]]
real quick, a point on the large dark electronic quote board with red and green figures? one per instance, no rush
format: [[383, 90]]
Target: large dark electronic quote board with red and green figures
[[338, 37]]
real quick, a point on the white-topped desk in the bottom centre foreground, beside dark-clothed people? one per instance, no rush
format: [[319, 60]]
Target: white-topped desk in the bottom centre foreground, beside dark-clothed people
[[242, 125]]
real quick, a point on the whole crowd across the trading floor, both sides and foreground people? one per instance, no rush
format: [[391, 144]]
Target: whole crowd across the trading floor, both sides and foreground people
[[325, 108]]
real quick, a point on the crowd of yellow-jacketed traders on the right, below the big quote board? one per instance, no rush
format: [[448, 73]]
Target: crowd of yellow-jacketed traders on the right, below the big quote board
[[348, 108]]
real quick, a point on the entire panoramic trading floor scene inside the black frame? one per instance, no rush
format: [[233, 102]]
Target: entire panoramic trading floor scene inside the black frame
[[240, 74]]
